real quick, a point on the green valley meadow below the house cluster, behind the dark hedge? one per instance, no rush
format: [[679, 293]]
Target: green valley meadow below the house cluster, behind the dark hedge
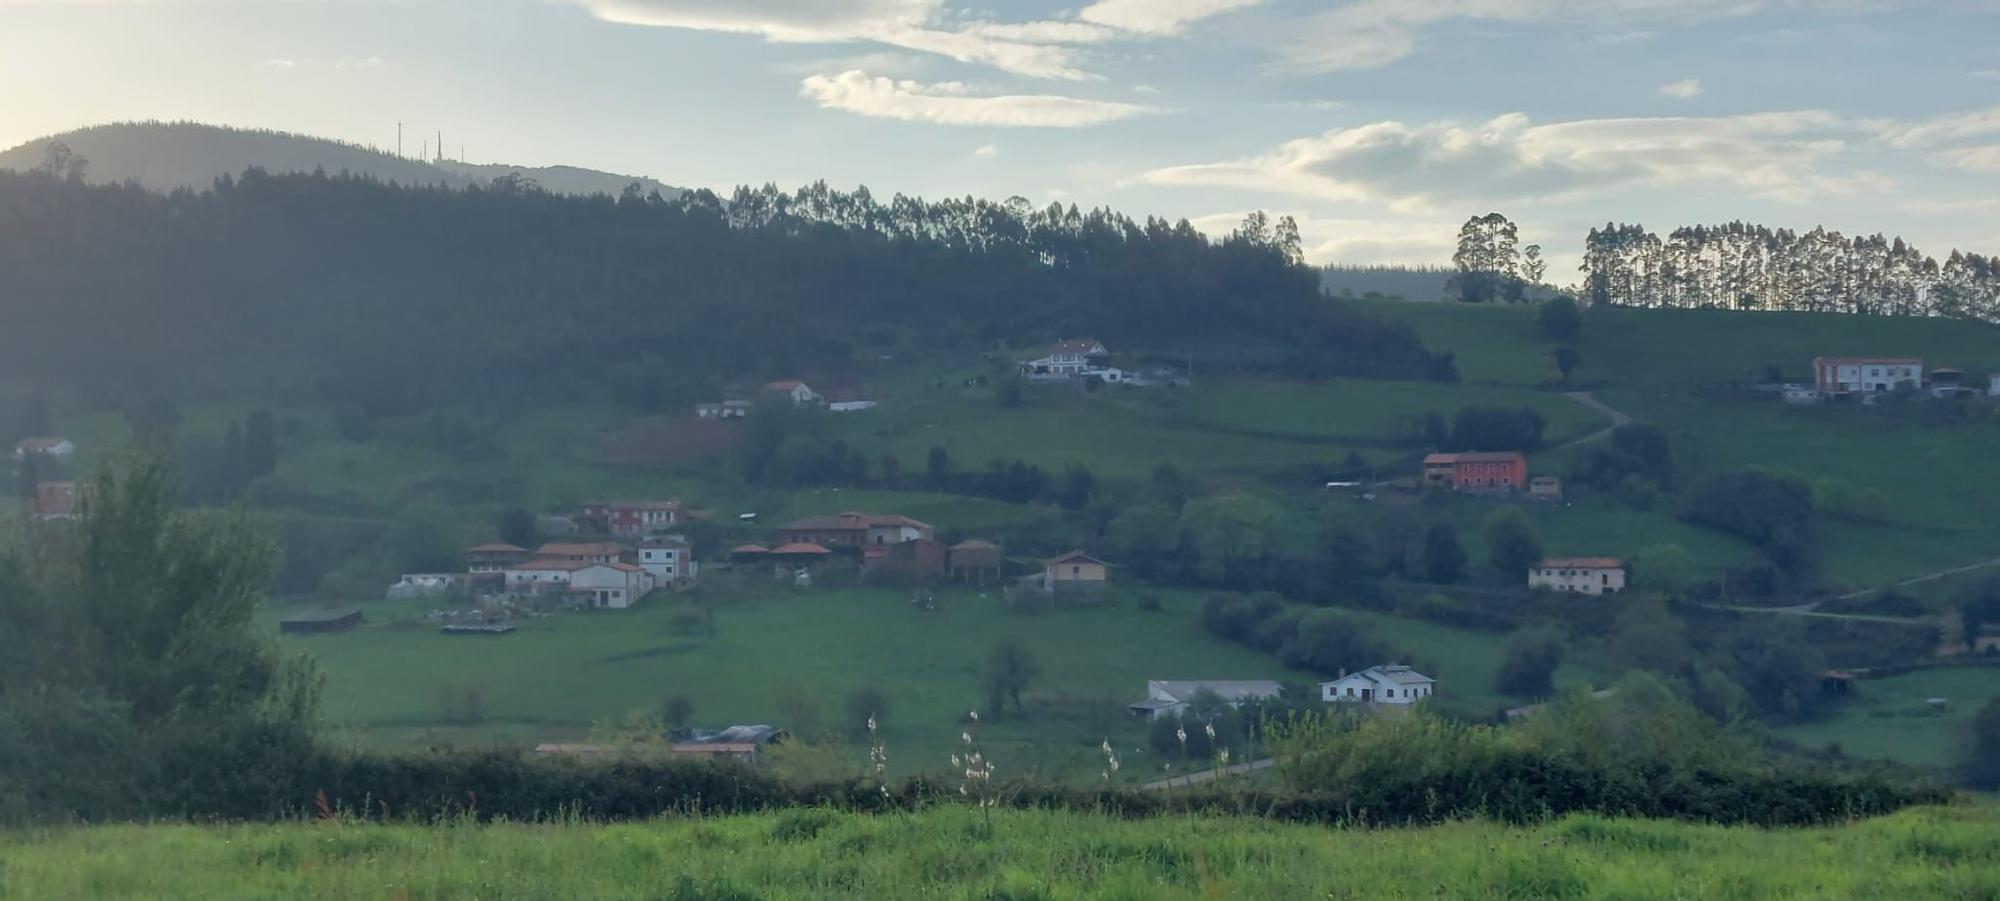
[[557, 678]]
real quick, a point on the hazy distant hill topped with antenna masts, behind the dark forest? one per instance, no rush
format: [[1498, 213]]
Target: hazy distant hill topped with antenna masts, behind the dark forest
[[189, 155]]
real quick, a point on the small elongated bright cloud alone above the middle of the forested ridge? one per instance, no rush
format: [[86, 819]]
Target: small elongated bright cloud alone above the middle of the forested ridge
[[953, 103]]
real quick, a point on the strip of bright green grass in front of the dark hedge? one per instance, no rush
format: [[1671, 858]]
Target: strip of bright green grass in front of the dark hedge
[[1025, 854]]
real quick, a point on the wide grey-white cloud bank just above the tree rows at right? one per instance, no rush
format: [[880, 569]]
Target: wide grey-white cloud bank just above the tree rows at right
[[1773, 155]]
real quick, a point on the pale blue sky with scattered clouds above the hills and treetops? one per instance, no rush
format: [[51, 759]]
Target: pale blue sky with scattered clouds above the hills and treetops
[[1381, 125]]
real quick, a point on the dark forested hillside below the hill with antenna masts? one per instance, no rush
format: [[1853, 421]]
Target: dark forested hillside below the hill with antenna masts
[[407, 295]]
